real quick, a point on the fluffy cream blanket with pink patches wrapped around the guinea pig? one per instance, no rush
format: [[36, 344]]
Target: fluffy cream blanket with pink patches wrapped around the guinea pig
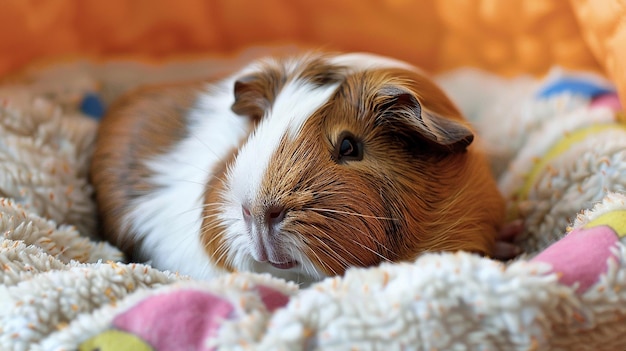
[[62, 289]]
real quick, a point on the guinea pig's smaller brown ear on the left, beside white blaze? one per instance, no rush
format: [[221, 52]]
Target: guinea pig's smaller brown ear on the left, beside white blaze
[[255, 93]]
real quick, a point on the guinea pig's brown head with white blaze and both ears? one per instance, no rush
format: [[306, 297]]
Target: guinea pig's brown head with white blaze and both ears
[[353, 160]]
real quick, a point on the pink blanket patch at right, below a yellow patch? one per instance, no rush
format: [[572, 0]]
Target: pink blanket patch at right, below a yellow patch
[[581, 256]]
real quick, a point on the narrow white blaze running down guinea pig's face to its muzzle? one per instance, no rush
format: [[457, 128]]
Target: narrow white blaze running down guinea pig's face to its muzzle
[[295, 103]]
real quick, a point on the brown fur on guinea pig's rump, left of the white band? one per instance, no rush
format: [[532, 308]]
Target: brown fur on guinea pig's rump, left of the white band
[[138, 126]]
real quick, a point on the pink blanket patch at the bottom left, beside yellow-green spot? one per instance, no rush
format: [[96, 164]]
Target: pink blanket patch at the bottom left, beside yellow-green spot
[[179, 320]]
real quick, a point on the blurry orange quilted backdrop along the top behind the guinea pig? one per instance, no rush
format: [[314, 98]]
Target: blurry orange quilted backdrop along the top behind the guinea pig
[[504, 36]]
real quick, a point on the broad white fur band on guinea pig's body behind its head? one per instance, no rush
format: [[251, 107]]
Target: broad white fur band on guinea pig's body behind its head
[[172, 215]]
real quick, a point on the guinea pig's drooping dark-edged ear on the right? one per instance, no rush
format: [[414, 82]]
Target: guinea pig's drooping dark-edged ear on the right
[[437, 130]]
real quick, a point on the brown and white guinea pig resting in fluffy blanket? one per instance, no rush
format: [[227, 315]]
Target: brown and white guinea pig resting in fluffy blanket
[[298, 166]]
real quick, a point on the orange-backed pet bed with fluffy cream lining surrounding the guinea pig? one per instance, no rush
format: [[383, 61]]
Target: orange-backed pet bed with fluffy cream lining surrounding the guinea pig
[[64, 289]]
